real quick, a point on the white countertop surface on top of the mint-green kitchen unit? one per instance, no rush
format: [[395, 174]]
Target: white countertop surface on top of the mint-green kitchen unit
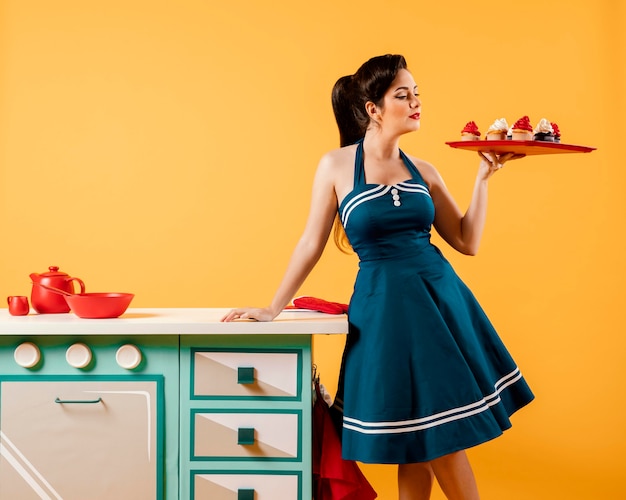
[[172, 321]]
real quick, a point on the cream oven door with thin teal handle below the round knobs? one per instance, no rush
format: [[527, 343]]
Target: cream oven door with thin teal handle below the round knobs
[[81, 438]]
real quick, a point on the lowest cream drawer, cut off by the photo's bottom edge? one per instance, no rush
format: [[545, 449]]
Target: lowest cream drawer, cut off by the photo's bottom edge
[[245, 486]]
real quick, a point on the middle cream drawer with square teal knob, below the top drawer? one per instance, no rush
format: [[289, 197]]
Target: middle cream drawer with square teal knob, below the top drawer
[[271, 435]]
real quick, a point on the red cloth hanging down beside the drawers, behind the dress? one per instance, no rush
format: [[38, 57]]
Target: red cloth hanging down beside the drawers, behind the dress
[[333, 477]]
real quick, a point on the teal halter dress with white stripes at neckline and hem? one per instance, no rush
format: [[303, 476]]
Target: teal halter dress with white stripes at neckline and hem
[[424, 372]]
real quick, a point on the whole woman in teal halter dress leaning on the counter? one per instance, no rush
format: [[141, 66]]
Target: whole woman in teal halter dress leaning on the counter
[[424, 374]]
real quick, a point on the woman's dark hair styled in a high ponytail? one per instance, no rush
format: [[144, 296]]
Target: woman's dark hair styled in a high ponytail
[[351, 93]]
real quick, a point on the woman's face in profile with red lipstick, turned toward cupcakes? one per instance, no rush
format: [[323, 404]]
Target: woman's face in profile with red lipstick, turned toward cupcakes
[[401, 108]]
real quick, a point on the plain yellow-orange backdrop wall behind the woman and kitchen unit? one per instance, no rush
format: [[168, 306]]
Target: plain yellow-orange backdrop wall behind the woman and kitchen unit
[[167, 148]]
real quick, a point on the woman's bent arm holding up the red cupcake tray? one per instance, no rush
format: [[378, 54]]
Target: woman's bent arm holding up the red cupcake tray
[[463, 232]]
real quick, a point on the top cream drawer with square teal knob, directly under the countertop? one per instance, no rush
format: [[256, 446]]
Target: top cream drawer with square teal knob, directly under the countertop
[[246, 374]]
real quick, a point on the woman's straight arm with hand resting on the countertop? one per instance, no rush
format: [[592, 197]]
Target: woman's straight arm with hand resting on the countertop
[[308, 250]]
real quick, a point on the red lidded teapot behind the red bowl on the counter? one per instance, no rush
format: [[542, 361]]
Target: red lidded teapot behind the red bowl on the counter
[[44, 300]]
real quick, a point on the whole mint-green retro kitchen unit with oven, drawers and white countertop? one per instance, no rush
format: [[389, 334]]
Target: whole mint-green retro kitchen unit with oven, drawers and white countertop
[[162, 403]]
